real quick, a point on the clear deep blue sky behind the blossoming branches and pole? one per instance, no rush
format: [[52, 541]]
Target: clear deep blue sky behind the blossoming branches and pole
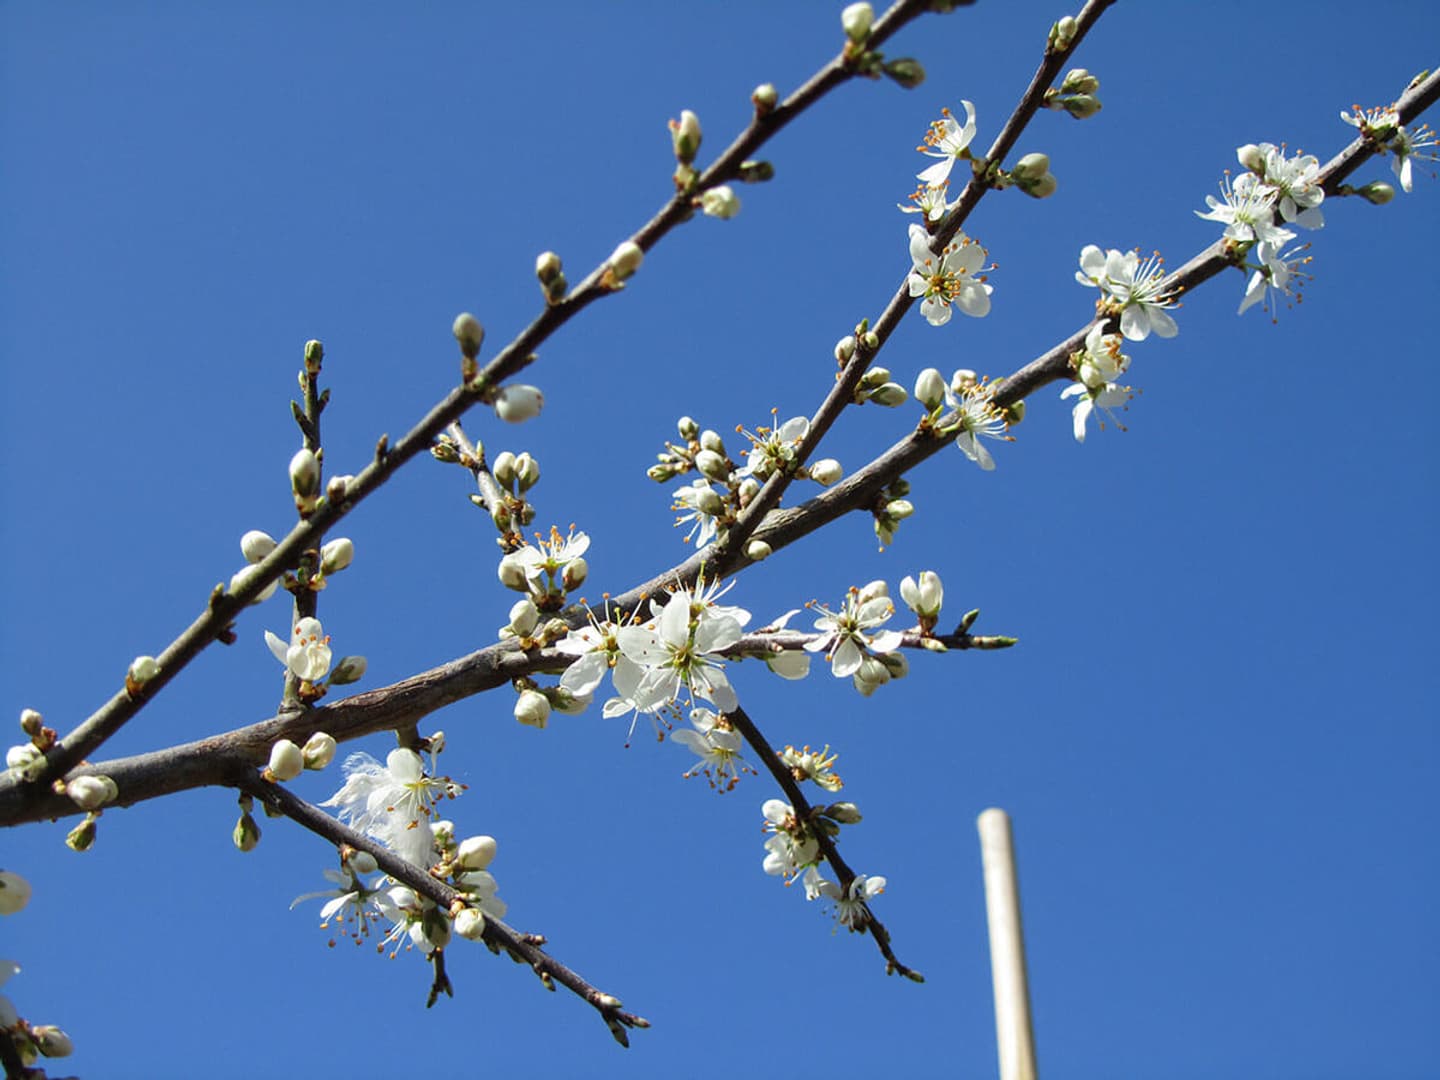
[[1216, 738]]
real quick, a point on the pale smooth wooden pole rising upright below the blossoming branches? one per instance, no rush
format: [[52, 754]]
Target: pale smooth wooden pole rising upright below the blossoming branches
[[1014, 1036]]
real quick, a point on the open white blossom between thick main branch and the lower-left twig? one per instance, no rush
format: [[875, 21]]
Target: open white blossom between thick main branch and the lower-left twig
[[391, 803]]
